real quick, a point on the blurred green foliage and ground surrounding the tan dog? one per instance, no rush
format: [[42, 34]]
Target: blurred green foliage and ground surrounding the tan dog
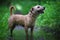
[[47, 25]]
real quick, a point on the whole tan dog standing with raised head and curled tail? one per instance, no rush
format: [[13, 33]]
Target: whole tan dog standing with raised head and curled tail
[[27, 21]]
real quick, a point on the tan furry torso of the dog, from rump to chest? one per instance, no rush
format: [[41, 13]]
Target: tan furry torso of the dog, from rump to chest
[[22, 19]]
